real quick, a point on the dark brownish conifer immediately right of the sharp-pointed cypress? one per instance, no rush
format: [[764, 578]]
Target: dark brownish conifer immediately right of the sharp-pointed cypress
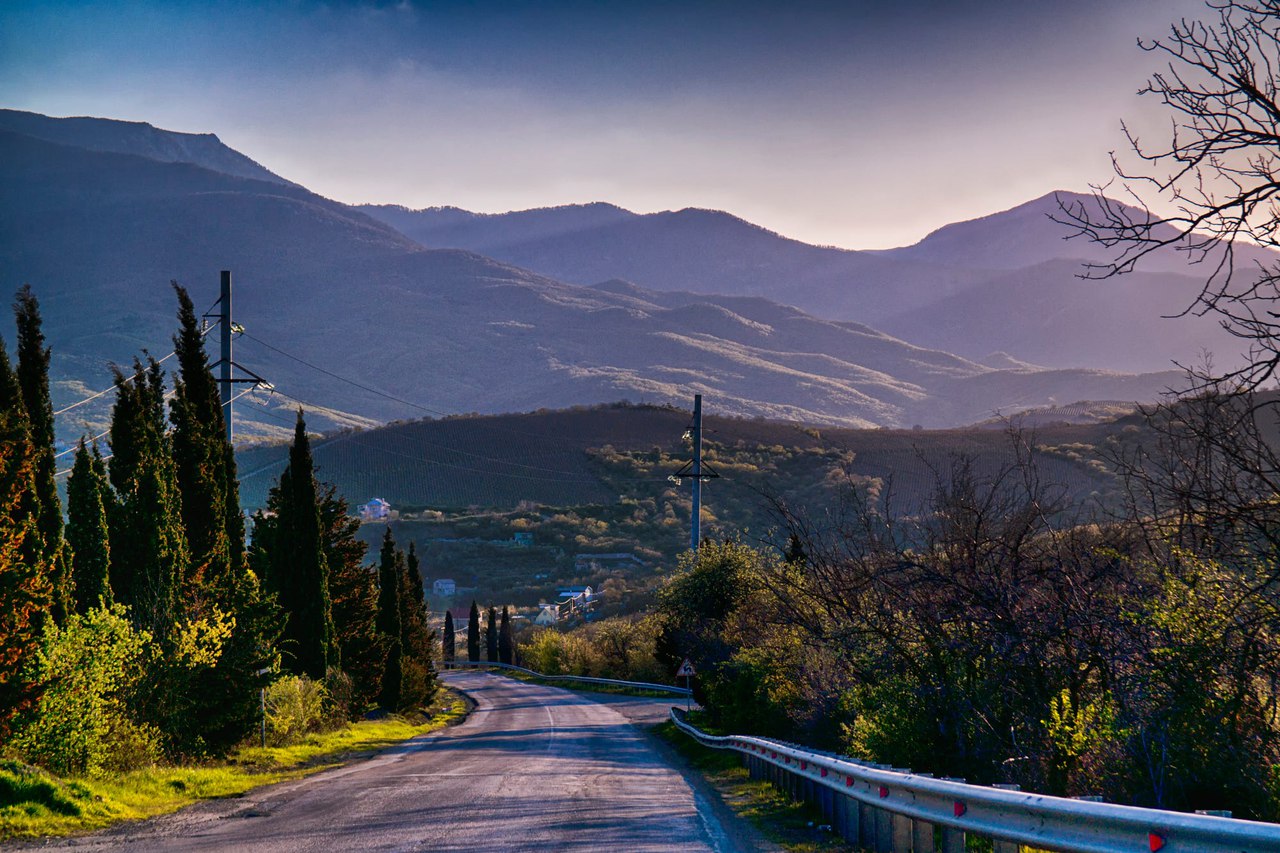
[[354, 590]]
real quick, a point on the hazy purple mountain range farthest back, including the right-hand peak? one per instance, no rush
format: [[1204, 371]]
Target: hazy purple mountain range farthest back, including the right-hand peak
[[1009, 282]]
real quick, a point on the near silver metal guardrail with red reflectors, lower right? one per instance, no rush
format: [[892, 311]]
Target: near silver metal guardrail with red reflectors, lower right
[[895, 811]]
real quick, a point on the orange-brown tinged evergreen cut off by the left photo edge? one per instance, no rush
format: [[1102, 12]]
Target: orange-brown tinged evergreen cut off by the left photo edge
[[26, 591]]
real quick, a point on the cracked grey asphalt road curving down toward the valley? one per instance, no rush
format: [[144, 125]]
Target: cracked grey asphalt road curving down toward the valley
[[533, 768]]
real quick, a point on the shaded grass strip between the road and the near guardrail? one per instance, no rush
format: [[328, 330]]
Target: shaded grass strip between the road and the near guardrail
[[788, 824]]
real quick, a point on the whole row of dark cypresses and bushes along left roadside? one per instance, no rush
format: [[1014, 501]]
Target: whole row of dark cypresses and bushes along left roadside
[[144, 624]]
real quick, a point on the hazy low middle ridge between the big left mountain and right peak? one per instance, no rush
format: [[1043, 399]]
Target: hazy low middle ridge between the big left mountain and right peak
[[705, 252]]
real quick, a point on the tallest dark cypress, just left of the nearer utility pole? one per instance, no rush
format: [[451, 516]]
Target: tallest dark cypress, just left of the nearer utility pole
[[200, 455]]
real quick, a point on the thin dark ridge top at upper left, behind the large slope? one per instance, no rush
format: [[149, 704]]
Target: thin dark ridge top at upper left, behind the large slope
[[138, 138]]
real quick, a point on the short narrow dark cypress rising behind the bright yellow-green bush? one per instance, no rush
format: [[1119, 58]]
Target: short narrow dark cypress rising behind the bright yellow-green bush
[[88, 532]]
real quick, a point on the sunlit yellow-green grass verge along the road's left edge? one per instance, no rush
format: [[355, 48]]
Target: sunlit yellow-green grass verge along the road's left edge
[[35, 804]]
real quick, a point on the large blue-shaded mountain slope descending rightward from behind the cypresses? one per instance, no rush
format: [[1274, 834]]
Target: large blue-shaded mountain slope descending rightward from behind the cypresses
[[324, 290]]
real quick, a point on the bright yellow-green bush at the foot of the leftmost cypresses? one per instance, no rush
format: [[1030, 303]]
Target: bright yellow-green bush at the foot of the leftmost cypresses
[[83, 724]]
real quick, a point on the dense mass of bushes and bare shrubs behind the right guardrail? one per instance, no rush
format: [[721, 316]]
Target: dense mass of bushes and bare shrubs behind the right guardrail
[[999, 632]]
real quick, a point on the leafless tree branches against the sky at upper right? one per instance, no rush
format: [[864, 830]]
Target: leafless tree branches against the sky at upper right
[[1210, 191]]
